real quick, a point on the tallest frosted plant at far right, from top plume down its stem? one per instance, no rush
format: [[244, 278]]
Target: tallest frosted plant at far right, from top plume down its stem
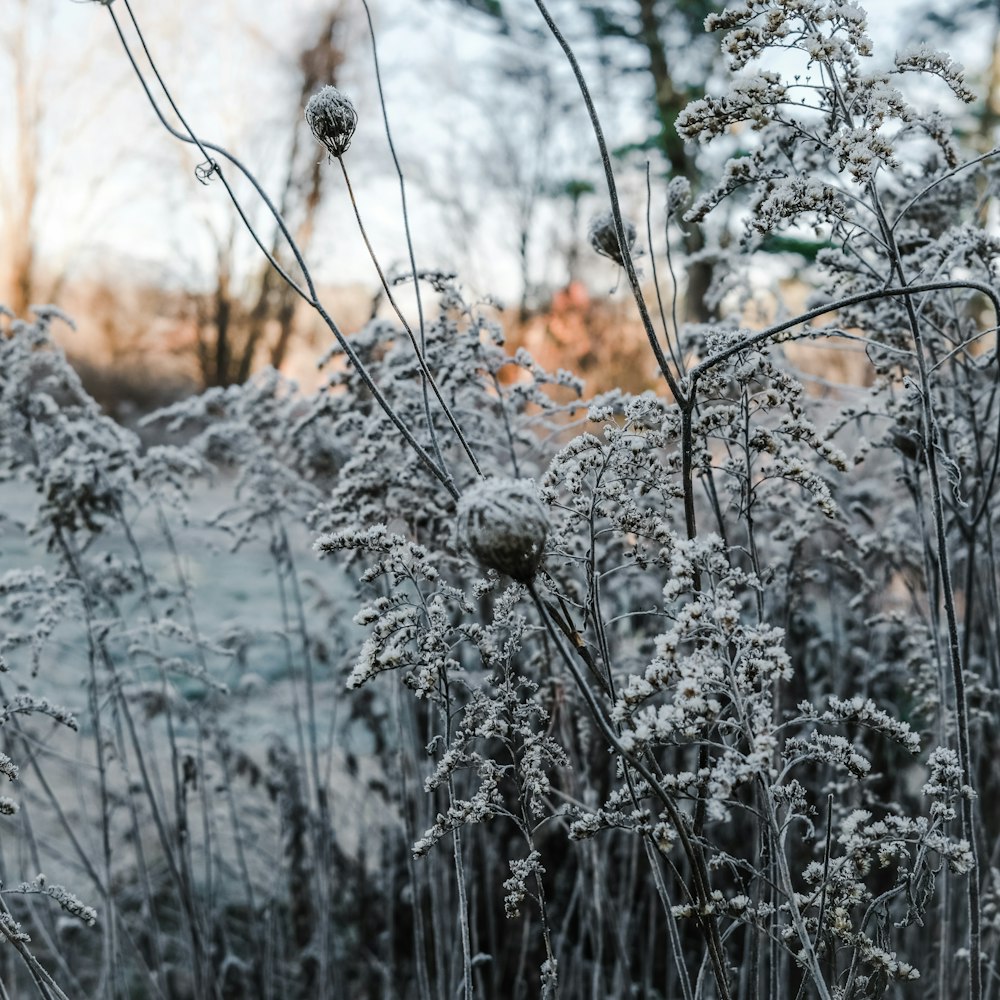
[[843, 151]]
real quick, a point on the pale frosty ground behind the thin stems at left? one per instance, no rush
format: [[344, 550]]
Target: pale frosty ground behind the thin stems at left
[[253, 698]]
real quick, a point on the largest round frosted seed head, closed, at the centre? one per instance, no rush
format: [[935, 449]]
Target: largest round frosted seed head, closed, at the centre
[[504, 525]]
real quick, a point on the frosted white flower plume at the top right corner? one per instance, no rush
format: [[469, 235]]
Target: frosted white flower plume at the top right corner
[[846, 118]]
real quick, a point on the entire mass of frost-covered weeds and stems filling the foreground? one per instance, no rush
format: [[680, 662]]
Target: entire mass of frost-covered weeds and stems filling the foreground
[[675, 654]]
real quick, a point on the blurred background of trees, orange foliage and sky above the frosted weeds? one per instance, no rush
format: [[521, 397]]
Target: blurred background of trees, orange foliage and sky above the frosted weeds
[[102, 214]]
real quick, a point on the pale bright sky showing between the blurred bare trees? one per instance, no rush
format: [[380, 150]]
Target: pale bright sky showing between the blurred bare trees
[[117, 191]]
